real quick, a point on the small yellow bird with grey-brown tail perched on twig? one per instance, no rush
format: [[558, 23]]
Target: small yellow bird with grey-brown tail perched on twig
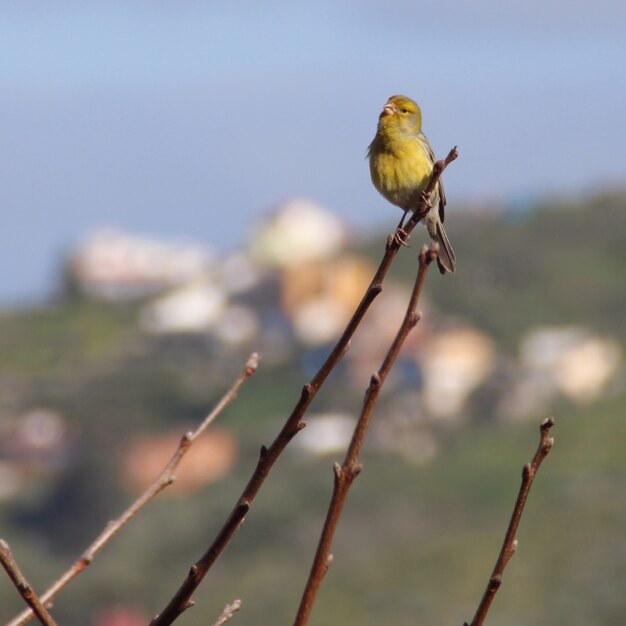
[[401, 162]]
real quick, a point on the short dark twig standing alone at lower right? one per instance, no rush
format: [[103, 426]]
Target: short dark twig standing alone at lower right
[[510, 543]]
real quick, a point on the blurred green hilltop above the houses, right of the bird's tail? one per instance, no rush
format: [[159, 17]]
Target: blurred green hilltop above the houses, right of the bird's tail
[[562, 263]]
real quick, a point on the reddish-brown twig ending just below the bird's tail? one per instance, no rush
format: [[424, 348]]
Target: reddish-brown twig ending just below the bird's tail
[[346, 473]]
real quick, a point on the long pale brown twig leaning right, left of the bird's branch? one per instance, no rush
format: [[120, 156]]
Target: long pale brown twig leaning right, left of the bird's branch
[[164, 479]]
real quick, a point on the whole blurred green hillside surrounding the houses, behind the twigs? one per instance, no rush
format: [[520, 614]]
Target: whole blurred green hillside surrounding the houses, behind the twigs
[[417, 542]]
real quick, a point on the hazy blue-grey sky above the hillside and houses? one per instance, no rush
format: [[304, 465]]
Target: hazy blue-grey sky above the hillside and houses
[[193, 118]]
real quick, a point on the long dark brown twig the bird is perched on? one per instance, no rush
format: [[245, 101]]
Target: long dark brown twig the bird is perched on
[[268, 456]]
